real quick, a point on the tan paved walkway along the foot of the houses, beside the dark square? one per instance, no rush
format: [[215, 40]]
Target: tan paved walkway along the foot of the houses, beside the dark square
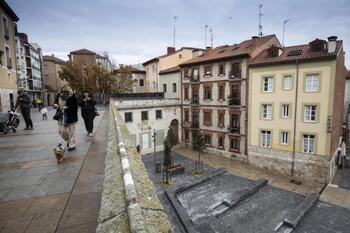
[[245, 170]]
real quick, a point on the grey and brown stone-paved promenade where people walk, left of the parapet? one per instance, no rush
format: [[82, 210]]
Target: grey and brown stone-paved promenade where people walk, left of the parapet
[[39, 195]]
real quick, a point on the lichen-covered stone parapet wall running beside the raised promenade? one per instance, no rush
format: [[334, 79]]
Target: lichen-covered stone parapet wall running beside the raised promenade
[[129, 201]]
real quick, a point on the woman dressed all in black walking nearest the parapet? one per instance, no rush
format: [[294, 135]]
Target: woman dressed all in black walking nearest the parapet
[[88, 112]]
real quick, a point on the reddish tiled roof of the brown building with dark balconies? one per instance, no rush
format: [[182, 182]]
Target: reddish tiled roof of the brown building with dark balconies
[[227, 51]]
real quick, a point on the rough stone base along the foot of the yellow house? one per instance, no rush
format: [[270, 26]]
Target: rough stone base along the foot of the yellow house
[[307, 166]]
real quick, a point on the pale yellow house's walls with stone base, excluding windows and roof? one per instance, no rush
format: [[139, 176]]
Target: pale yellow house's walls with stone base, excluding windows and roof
[[285, 157]]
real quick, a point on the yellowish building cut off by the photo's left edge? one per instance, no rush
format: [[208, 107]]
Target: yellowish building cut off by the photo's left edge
[[8, 75]]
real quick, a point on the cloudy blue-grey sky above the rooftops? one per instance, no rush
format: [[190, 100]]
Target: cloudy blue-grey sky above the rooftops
[[133, 31]]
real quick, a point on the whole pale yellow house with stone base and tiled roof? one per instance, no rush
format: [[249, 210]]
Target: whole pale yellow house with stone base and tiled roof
[[295, 110]]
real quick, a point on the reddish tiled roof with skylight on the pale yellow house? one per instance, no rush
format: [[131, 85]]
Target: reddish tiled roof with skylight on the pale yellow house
[[302, 53]]
